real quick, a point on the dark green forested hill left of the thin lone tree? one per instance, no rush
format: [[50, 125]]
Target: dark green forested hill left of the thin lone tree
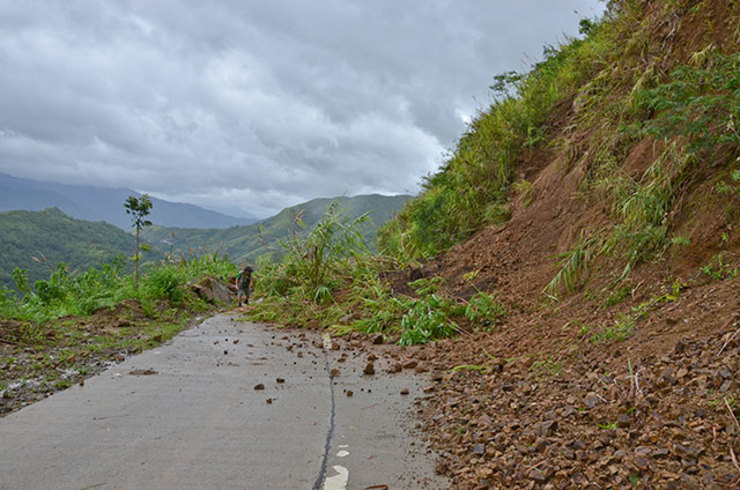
[[53, 237]]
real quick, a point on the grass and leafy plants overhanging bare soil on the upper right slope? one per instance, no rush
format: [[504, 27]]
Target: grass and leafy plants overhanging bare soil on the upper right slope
[[693, 114]]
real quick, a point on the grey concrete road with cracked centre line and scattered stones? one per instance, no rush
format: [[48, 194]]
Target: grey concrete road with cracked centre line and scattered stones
[[224, 405]]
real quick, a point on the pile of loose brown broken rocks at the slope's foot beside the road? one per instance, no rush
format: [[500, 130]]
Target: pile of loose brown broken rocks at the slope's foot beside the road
[[670, 422]]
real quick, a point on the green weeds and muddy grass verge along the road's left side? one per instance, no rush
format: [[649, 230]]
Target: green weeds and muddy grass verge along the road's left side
[[55, 332]]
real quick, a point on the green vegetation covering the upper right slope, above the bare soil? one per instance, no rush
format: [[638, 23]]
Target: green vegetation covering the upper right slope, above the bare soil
[[624, 88]]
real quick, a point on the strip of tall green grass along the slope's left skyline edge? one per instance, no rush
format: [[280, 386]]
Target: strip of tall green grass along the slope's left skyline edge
[[471, 188]]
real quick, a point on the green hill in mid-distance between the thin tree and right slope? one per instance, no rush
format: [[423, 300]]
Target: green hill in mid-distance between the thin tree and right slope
[[247, 243]]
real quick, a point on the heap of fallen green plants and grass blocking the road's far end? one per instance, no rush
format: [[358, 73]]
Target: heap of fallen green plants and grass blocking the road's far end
[[327, 279]]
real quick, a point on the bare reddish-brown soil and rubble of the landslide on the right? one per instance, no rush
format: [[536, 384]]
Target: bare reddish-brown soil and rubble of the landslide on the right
[[543, 403]]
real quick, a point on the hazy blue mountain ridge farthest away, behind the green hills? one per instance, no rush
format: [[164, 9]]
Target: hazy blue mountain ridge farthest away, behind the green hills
[[104, 204]]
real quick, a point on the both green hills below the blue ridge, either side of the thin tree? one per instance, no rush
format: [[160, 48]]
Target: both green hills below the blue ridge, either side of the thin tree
[[81, 244]]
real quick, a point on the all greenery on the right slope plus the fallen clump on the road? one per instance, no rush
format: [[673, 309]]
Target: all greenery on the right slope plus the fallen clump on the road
[[587, 105]]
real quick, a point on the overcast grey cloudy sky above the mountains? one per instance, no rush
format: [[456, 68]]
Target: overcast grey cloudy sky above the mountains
[[247, 106]]
